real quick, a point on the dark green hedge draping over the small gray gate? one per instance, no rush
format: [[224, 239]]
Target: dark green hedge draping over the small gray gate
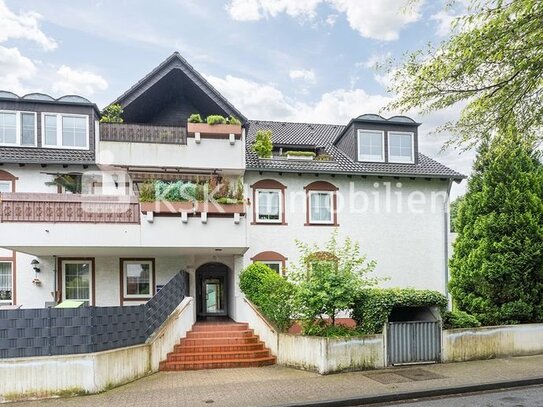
[[373, 306]]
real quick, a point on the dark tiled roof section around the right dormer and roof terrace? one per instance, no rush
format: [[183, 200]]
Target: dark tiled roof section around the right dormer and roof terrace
[[323, 135]]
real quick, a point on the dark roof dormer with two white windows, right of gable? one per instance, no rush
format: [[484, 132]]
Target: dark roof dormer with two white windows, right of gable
[[372, 138]]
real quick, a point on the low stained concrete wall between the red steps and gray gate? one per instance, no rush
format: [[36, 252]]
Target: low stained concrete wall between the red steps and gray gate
[[330, 355]]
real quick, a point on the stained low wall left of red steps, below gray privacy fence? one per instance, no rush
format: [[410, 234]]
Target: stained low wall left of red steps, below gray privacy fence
[[93, 372]]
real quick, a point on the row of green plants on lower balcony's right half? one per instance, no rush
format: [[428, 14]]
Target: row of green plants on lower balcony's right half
[[217, 189]]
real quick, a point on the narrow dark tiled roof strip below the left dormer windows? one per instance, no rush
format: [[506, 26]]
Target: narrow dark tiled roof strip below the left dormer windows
[[45, 155]]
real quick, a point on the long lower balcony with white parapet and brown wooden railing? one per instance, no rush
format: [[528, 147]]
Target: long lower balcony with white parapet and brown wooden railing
[[91, 225]]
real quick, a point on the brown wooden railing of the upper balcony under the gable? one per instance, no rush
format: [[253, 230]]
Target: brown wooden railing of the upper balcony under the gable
[[143, 133]]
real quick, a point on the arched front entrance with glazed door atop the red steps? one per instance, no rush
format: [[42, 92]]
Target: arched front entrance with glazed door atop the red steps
[[211, 279]]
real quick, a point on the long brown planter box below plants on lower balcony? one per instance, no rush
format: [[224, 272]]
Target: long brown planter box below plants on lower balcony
[[168, 208]]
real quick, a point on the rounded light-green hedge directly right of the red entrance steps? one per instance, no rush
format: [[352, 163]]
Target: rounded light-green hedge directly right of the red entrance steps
[[270, 292]]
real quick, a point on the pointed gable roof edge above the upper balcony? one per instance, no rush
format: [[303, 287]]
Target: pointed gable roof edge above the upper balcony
[[173, 62]]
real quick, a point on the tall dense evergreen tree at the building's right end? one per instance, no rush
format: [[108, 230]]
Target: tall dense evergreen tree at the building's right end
[[497, 265]]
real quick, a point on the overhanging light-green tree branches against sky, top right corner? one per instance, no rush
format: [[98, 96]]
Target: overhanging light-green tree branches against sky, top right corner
[[492, 63]]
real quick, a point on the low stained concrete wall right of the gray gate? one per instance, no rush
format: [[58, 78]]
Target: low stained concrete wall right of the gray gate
[[492, 342]]
